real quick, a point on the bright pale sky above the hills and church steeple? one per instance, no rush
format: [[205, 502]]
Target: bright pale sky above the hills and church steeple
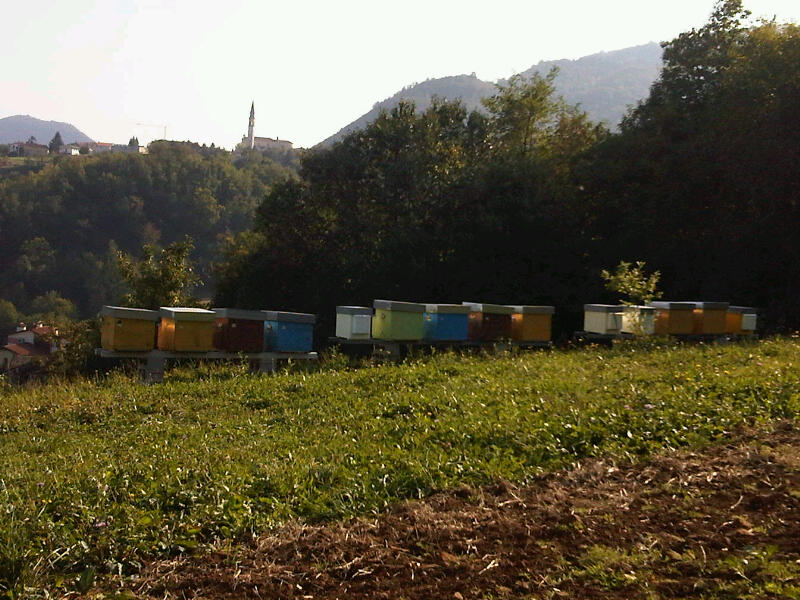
[[118, 68]]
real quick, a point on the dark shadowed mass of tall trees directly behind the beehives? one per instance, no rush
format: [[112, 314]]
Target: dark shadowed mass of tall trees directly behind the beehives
[[529, 202]]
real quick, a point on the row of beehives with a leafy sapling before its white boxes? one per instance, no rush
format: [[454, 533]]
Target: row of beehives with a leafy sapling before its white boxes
[[670, 318]]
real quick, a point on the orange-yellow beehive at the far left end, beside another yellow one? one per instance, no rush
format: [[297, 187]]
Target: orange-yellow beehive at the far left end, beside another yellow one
[[128, 329]]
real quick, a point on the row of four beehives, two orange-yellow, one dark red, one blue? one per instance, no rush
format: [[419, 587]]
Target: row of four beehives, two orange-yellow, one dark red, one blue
[[199, 330]]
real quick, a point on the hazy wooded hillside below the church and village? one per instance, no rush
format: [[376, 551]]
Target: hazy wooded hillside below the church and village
[[61, 228]]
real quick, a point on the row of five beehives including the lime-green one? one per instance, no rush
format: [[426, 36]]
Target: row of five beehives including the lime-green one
[[469, 321]]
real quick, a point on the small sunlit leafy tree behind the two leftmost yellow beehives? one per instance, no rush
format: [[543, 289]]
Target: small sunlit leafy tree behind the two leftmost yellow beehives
[[164, 278]]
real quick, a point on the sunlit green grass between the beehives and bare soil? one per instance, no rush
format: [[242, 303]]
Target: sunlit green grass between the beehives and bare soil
[[98, 476]]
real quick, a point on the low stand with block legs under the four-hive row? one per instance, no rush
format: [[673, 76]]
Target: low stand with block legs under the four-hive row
[[154, 362]]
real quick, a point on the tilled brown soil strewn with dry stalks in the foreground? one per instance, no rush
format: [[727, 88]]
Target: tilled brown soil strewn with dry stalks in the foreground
[[723, 522]]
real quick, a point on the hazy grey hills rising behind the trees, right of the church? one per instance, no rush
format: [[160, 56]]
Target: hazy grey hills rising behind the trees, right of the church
[[604, 84]]
